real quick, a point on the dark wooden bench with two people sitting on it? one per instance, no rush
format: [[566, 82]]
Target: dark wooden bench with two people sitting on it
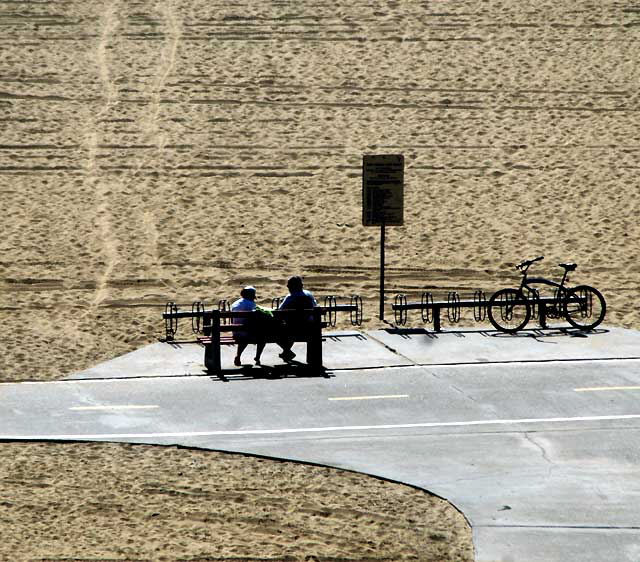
[[222, 334]]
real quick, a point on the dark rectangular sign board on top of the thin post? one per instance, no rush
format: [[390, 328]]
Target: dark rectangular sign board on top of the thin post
[[382, 189]]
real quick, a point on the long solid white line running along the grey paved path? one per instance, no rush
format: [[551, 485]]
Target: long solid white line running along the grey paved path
[[322, 429]]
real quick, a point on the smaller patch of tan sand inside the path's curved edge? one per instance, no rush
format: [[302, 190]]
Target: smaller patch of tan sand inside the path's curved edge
[[163, 503]]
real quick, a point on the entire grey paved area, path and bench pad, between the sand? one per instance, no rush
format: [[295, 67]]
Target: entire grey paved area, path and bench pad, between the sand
[[535, 438]]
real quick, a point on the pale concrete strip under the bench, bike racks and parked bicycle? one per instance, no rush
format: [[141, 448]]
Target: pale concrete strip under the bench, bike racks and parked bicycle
[[387, 348]]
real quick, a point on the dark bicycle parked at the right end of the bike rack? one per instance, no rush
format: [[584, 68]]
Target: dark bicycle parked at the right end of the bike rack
[[582, 306]]
